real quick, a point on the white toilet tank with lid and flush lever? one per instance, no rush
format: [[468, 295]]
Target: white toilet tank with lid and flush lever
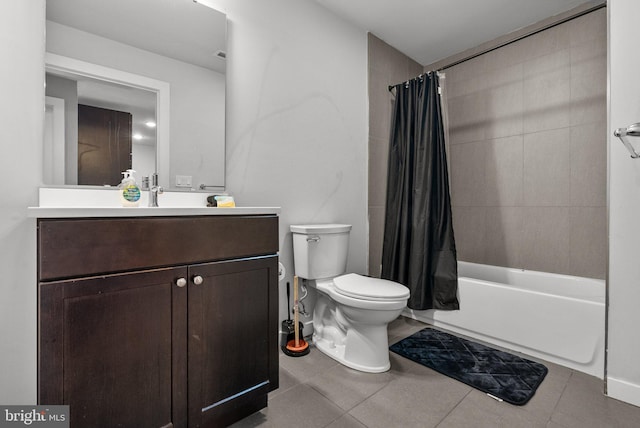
[[320, 250]]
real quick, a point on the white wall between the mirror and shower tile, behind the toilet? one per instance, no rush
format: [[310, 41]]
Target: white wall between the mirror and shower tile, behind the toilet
[[297, 114]]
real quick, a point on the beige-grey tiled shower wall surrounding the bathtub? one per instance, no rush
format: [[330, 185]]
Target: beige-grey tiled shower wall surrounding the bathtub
[[527, 149]]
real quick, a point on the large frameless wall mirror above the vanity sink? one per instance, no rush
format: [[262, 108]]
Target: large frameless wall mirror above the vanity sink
[[136, 63]]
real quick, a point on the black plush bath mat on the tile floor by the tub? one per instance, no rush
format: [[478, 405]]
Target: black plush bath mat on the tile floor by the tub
[[503, 375]]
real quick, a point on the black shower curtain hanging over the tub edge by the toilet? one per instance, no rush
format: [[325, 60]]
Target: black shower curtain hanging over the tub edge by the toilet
[[419, 248]]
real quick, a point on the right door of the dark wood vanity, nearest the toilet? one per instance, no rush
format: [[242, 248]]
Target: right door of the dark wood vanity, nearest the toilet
[[232, 339]]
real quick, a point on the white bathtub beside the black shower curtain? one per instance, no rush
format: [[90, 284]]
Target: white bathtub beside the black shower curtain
[[558, 318]]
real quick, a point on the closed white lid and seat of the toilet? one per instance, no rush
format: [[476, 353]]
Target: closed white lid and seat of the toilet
[[368, 288]]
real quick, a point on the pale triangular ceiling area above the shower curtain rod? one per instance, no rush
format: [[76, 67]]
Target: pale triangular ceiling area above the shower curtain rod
[[431, 30]]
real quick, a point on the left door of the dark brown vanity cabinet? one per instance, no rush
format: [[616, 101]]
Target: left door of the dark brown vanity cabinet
[[113, 348]]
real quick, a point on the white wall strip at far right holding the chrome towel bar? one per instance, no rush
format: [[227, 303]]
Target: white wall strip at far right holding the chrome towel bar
[[623, 370]]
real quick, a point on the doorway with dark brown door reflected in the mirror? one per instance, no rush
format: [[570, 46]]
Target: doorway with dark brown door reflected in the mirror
[[105, 129]]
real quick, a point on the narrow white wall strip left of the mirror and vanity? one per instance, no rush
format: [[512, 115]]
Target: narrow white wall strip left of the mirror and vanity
[[21, 120]]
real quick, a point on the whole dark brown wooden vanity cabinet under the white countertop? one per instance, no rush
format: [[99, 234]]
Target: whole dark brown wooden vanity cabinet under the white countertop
[[127, 338]]
